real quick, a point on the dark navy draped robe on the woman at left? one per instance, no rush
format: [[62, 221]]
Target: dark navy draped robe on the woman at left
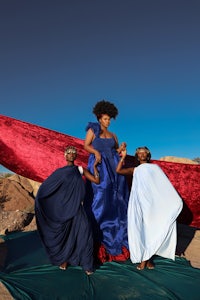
[[62, 222]]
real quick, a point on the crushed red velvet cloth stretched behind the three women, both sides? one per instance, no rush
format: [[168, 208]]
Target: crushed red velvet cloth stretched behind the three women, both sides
[[35, 152]]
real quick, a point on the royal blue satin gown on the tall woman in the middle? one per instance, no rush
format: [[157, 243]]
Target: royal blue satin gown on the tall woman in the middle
[[107, 202]]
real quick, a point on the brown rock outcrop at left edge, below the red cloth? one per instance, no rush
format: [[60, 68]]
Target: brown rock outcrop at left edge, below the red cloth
[[17, 200]]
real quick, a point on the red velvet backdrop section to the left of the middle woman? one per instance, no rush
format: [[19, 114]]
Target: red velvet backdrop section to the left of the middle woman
[[33, 151]]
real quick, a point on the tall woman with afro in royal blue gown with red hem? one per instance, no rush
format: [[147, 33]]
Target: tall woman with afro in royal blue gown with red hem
[[106, 203]]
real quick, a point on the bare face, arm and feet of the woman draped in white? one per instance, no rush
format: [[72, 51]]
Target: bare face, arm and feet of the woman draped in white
[[142, 157]]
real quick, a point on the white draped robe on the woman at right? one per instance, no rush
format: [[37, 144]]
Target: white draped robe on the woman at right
[[154, 205]]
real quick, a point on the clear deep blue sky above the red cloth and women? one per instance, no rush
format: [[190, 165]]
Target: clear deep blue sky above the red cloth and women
[[58, 58]]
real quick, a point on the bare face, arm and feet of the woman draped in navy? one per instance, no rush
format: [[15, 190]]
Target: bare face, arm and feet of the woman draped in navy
[[70, 157]]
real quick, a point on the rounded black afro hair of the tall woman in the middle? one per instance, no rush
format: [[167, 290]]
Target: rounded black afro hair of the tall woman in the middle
[[104, 107]]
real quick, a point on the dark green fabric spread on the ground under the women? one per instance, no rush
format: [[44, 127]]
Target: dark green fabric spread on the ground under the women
[[28, 274]]
